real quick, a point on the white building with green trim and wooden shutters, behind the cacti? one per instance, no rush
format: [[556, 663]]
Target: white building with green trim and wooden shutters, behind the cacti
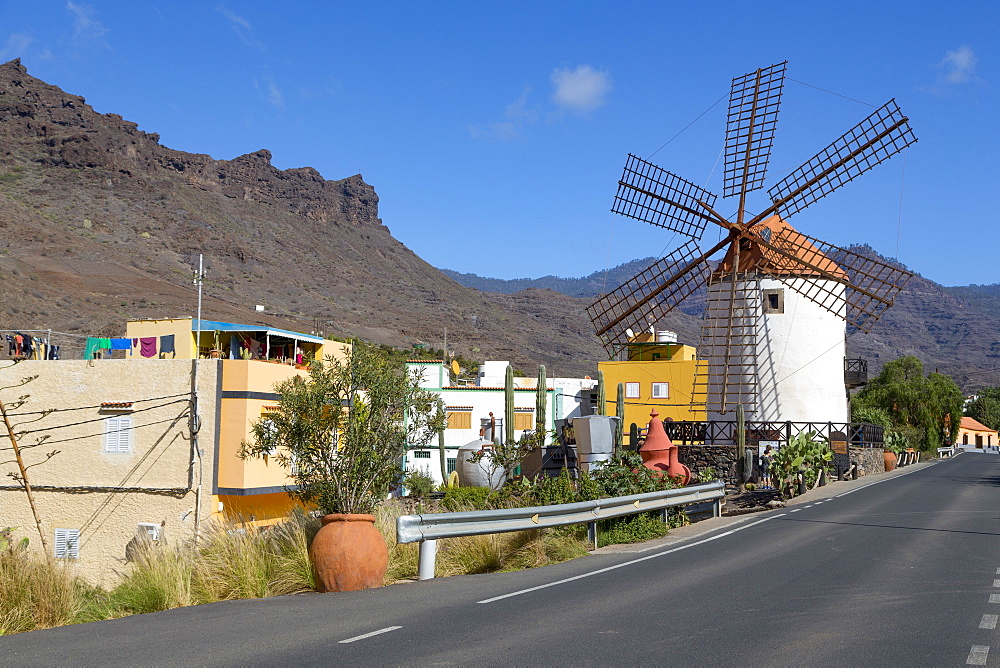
[[469, 407]]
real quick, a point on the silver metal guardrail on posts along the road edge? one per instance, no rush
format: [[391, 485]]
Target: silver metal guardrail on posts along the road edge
[[427, 529]]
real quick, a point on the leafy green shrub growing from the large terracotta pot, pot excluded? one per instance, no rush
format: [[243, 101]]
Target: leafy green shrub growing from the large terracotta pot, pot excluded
[[342, 431]]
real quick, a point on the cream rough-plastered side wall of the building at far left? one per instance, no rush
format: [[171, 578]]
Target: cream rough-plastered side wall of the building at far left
[[159, 458]]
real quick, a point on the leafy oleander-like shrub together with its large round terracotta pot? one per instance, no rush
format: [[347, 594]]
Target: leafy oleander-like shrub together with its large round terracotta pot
[[341, 433]]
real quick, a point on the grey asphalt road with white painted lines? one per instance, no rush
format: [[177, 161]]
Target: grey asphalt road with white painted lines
[[900, 569]]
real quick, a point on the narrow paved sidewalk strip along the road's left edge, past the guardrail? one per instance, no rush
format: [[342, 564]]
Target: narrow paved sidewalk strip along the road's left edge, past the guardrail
[[712, 524]]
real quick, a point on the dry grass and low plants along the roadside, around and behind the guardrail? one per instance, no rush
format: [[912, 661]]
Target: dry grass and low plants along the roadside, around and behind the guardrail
[[234, 561]]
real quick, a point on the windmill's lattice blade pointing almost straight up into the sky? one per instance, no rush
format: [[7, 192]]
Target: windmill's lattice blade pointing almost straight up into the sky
[[754, 100]]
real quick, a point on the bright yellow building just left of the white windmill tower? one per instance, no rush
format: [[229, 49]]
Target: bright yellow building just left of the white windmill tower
[[656, 374]]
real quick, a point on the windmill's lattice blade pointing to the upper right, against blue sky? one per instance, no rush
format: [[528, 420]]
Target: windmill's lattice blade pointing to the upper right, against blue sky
[[882, 135]]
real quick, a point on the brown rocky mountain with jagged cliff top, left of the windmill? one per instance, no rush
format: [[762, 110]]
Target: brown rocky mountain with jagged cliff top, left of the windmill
[[100, 223]]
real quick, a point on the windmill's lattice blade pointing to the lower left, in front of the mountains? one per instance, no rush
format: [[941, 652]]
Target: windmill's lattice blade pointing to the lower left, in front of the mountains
[[649, 295]]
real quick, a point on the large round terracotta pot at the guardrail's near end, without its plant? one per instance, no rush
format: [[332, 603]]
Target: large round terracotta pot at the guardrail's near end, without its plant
[[348, 553]]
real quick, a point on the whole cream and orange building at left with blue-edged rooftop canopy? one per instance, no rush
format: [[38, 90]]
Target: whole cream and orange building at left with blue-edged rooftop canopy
[[125, 431]]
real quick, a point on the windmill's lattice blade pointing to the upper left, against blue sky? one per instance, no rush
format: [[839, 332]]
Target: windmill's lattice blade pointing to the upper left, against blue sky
[[655, 196]]
